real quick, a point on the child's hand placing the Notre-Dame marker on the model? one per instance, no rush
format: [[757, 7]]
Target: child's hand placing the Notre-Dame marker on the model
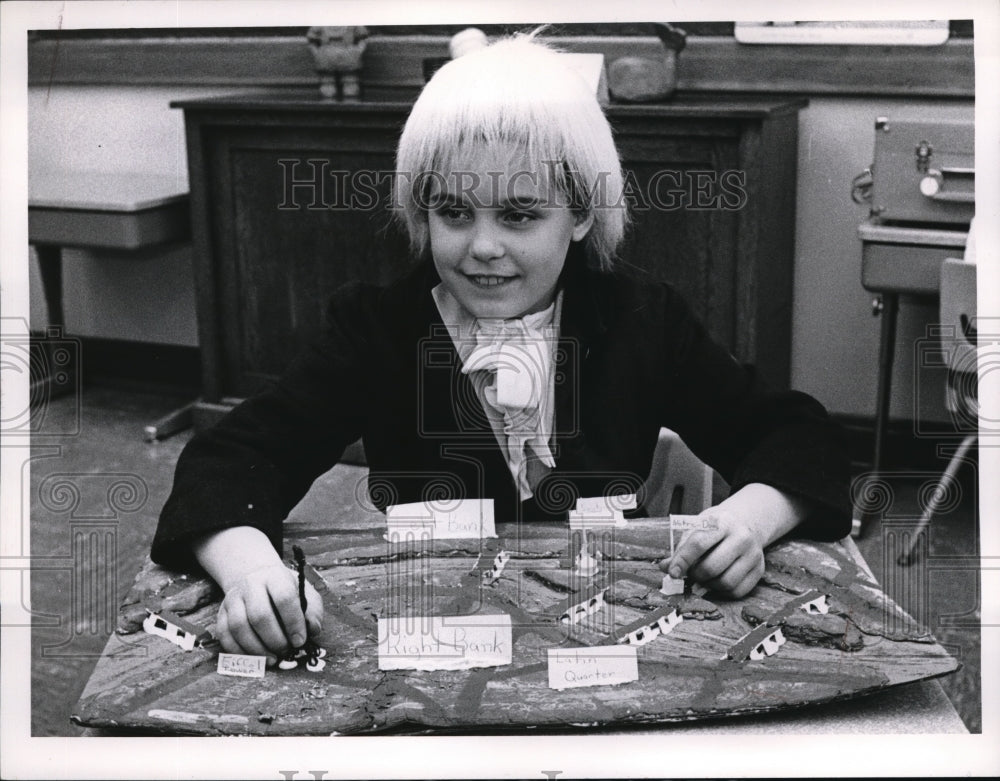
[[729, 558]]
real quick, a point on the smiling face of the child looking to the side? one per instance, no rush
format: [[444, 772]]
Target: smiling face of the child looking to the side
[[499, 233]]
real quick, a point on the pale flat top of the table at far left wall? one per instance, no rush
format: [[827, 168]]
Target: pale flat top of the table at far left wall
[[98, 191]]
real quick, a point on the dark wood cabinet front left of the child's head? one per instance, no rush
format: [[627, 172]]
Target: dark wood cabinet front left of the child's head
[[270, 252]]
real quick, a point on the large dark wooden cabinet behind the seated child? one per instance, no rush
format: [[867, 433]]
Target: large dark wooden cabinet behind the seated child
[[289, 198]]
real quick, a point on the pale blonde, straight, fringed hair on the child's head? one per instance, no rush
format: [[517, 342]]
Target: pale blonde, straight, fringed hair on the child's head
[[518, 95]]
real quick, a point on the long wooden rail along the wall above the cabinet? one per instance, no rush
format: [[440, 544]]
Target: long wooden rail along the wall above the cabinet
[[393, 64]]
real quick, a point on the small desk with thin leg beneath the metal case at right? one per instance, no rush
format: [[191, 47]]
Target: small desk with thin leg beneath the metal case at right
[[900, 261]]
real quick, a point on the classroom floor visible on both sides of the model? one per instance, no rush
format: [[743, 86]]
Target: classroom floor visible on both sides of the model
[[96, 489]]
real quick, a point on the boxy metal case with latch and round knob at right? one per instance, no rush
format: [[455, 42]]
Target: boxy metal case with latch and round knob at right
[[924, 171]]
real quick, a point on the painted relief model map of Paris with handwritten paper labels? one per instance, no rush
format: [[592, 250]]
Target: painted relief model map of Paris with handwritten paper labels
[[514, 625]]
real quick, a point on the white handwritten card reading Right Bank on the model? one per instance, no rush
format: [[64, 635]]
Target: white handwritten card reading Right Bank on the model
[[444, 642]]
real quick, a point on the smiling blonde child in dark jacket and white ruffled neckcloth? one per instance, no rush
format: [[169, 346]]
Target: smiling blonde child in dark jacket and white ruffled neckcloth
[[513, 363]]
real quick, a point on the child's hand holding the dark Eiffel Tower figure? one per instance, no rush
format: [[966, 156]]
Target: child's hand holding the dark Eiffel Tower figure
[[261, 614]]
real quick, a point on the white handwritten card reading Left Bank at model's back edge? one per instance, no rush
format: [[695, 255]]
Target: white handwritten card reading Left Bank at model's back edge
[[457, 519]]
